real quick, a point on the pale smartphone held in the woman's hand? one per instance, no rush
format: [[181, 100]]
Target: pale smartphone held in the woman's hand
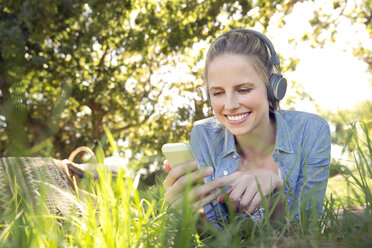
[[177, 153]]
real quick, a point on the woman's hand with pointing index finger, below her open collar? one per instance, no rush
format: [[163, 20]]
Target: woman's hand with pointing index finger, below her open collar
[[245, 195]]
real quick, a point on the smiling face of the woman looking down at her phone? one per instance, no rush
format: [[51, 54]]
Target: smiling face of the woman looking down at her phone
[[238, 95]]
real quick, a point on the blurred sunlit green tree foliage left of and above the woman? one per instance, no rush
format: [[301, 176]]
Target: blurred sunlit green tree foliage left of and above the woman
[[69, 68]]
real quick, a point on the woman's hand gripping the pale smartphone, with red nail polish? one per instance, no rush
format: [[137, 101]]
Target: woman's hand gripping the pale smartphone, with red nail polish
[[184, 175]]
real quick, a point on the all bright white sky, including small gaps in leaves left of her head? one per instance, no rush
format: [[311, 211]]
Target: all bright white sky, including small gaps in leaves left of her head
[[332, 75]]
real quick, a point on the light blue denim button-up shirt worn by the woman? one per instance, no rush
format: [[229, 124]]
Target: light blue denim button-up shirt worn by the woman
[[302, 153]]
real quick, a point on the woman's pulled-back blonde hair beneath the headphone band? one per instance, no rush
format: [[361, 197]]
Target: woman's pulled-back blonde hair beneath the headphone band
[[243, 44]]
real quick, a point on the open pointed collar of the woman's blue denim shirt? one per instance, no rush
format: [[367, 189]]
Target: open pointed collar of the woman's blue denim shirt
[[282, 140]]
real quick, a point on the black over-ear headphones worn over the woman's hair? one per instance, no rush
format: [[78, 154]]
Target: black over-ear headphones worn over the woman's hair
[[277, 83]]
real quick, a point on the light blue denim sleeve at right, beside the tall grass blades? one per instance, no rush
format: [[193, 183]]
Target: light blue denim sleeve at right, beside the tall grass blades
[[314, 171]]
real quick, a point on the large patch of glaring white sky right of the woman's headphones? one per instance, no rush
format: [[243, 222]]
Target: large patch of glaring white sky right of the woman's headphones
[[331, 75]]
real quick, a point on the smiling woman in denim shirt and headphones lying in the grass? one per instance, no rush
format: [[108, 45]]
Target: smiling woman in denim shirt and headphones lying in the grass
[[255, 150]]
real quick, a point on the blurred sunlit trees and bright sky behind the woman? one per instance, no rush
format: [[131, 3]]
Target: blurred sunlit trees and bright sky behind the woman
[[70, 69]]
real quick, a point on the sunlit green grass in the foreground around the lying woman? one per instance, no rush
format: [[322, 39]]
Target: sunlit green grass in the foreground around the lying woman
[[126, 217]]
